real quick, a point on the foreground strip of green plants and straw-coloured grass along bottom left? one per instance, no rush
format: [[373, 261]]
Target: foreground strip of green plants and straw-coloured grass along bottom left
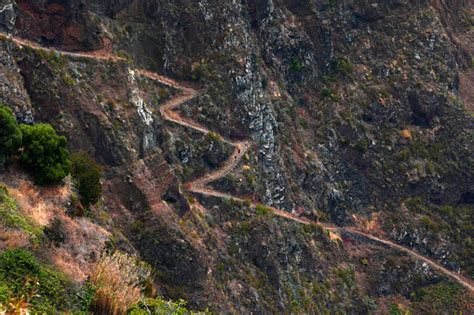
[[26, 283]]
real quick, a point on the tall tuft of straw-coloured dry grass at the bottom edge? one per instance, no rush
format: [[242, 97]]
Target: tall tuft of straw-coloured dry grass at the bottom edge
[[119, 279]]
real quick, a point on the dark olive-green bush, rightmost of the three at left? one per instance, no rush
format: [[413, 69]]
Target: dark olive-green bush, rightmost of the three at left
[[86, 173]]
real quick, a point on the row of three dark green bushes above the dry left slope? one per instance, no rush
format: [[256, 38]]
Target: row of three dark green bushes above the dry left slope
[[44, 153]]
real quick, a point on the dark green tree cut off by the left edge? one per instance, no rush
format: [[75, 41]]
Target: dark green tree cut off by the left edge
[[10, 135]]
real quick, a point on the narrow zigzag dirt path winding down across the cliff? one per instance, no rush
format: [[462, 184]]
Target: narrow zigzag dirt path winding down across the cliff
[[199, 186]]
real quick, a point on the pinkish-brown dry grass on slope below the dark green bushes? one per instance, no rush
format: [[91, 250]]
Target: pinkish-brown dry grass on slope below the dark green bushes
[[85, 241]]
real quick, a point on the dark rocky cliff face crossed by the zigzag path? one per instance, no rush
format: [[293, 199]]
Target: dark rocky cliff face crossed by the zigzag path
[[360, 113]]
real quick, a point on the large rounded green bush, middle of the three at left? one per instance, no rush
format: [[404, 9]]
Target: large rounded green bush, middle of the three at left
[[45, 154]]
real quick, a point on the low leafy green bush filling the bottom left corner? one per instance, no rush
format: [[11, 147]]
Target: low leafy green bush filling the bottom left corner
[[26, 283]]
